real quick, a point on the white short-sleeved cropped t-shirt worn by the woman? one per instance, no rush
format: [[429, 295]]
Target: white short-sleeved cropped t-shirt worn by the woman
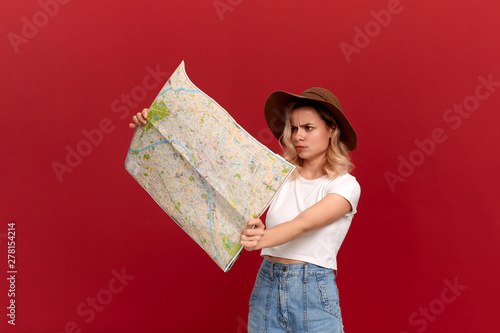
[[318, 247]]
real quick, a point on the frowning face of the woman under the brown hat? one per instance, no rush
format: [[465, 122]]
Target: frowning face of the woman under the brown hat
[[310, 134]]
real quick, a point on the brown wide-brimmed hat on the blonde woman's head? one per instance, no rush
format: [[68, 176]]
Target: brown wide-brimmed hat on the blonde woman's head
[[277, 102]]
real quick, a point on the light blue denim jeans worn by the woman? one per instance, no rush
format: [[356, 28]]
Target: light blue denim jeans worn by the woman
[[294, 298]]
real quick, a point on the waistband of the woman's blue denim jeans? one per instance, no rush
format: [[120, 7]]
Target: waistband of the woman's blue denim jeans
[[305, 269]]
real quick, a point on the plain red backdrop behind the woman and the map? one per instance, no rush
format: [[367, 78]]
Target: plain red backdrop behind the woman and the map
[[439, 224]]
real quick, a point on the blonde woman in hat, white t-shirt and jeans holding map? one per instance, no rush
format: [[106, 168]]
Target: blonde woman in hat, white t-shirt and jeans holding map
[[307, 221]]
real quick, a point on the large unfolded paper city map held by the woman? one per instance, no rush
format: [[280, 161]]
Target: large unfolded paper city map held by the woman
[[206, 172]]
